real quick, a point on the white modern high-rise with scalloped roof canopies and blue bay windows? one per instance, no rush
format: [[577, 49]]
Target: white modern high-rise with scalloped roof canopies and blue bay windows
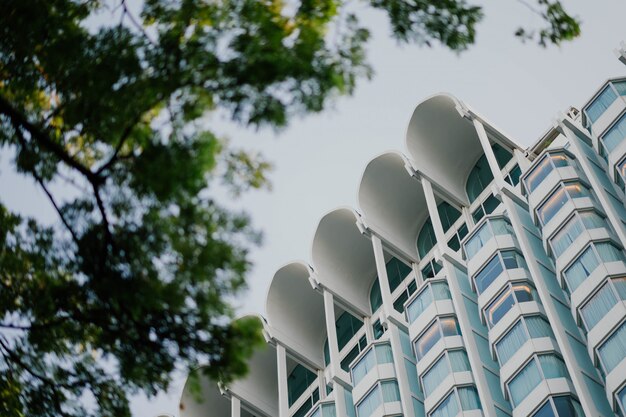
[[477, 278]]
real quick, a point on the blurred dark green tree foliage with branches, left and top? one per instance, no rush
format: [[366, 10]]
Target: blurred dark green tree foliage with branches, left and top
[[139, 274]]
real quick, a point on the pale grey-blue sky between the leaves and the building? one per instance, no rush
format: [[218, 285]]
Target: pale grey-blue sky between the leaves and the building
[[319, 159]]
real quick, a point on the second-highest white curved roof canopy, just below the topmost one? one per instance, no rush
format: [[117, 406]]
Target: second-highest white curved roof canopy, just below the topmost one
[[392, 201]]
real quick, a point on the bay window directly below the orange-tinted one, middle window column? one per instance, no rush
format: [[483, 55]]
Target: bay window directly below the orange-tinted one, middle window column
[[530, 327]]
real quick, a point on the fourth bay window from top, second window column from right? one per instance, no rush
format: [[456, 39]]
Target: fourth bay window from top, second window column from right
[[586, 263]]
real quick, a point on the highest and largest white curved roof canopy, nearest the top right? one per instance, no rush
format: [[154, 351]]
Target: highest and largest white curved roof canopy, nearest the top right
[[442, 144]]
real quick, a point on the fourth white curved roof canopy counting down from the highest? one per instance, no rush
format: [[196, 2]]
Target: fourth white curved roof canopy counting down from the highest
[[295, 312]]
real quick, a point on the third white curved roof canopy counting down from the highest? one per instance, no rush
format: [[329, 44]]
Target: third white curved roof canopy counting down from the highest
[[344, 259]]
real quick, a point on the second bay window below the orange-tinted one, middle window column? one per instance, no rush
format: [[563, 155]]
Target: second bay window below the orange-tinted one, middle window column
[[541, 367]]
